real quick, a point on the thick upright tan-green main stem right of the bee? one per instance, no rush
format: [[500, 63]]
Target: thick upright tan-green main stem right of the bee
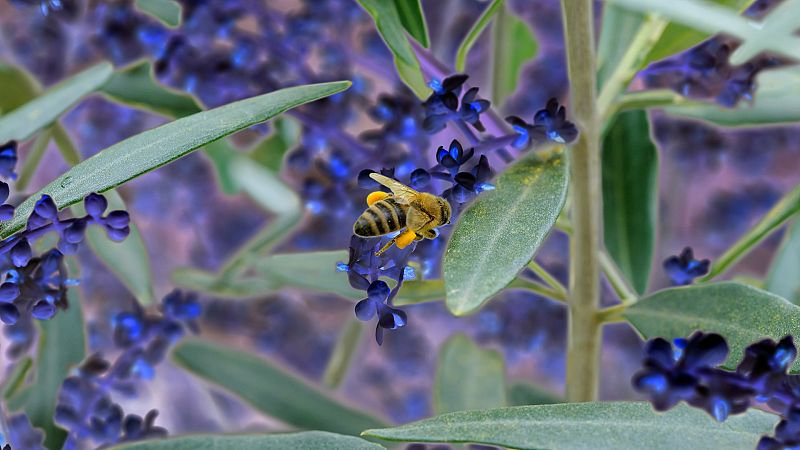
[[583, 342]]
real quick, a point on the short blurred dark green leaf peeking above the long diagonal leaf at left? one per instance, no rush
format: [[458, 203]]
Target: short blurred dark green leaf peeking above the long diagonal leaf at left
[[134, 86]]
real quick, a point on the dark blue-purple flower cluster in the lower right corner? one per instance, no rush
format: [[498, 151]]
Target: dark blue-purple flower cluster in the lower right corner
[[688, 371]]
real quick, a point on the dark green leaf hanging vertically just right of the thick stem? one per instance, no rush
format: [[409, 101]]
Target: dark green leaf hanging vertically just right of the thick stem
[[630, 196]]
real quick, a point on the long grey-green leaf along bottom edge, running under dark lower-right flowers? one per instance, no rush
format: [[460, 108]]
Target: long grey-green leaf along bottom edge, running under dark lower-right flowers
[[593, 425]]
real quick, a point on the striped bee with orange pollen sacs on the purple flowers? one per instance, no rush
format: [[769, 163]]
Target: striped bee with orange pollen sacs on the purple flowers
[[419, 213]]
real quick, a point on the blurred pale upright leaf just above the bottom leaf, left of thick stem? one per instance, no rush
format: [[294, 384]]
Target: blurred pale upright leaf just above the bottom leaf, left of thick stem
[[468, 377]]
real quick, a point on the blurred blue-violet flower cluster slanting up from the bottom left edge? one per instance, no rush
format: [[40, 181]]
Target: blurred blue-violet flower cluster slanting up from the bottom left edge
[[85, 406]]
